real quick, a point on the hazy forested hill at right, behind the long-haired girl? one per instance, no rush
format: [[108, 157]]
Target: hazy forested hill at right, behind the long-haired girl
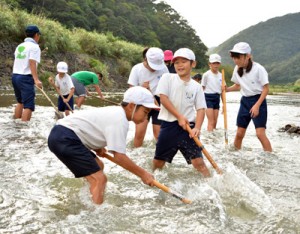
[[275, 44]]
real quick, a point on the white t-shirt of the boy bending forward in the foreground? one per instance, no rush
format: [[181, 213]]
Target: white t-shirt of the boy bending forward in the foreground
[[100, 127]]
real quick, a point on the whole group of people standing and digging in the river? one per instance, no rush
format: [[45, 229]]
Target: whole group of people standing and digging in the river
[[173, 100]]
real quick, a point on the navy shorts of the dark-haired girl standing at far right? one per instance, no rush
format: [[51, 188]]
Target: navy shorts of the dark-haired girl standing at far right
[[244, 116]]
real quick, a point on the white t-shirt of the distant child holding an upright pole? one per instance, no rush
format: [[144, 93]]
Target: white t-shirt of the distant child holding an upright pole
[[212, 82]]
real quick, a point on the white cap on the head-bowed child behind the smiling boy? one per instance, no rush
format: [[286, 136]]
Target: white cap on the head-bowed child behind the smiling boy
[[155, 58]]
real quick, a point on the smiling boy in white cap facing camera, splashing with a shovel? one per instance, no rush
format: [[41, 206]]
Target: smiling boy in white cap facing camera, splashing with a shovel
[[180, 96]]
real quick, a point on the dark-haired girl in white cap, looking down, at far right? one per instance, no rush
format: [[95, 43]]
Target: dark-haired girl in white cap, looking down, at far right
[[251, 79]]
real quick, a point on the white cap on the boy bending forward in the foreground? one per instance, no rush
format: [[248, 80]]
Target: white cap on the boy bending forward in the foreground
[[140, 96]]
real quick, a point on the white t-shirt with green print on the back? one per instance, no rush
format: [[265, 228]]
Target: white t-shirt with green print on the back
[[29, 49]]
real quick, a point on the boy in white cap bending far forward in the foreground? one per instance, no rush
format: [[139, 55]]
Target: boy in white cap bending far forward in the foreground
[[73, 138]]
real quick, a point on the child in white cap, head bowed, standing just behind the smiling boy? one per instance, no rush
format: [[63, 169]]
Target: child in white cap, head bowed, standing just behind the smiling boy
[[147, 74]]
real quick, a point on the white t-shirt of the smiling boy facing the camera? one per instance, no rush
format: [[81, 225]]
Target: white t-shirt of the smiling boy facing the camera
[[185, 96]]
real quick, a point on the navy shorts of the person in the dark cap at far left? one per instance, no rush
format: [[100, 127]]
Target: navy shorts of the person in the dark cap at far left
[[24, 90]]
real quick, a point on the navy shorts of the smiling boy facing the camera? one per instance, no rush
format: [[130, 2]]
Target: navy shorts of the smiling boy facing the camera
[[172, 138]]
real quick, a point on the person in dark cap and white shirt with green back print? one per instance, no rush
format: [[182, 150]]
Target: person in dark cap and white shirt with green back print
[[25, 76]]
